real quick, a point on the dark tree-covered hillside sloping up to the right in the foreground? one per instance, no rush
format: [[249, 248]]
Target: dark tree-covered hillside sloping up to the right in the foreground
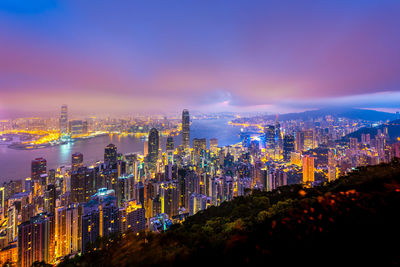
[[354, 220]]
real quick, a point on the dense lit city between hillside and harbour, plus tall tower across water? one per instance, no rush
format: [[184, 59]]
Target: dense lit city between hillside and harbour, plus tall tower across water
[[61, 212]]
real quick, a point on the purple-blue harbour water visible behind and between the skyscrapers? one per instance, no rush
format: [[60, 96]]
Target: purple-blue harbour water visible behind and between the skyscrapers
[[16, 164]]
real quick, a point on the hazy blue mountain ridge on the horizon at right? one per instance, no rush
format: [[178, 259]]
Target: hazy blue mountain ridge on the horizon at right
[[350, 113]]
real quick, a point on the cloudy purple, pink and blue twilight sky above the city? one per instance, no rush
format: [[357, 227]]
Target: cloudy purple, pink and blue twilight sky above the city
[[209, 55]]
